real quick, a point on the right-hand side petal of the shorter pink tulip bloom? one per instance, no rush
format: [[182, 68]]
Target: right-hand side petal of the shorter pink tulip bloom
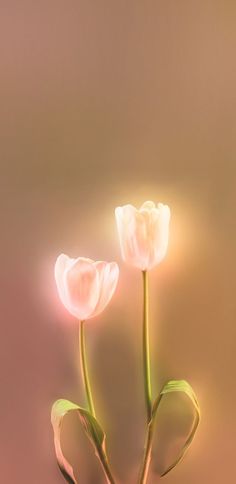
[[108, 274]]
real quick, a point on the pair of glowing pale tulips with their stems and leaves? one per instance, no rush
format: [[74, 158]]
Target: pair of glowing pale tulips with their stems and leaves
[[85, 288]]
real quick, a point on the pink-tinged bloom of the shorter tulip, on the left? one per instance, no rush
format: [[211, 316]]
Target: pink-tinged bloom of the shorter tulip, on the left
[[85, 287]]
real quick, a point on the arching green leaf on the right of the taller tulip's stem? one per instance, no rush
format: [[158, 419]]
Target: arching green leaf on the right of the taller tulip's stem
[[180, 386]]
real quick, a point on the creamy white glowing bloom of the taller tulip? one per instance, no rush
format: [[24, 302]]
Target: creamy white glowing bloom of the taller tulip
[[143, 233]]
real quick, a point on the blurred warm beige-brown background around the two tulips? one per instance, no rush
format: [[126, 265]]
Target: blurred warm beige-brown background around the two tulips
[[104, 103]]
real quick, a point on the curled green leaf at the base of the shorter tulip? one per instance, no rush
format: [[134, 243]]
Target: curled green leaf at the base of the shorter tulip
[[60, 409]]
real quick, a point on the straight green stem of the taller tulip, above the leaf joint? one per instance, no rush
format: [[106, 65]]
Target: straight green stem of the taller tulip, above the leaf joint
[[146, 349]]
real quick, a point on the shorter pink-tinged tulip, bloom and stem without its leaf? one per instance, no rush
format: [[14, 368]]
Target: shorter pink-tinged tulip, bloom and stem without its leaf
[[85, 288]]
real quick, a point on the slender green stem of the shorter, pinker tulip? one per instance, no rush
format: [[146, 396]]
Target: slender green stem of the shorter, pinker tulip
[[84, 368]]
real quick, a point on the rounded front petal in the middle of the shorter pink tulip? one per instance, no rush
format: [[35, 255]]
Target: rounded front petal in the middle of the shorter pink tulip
[[82, 288]]
